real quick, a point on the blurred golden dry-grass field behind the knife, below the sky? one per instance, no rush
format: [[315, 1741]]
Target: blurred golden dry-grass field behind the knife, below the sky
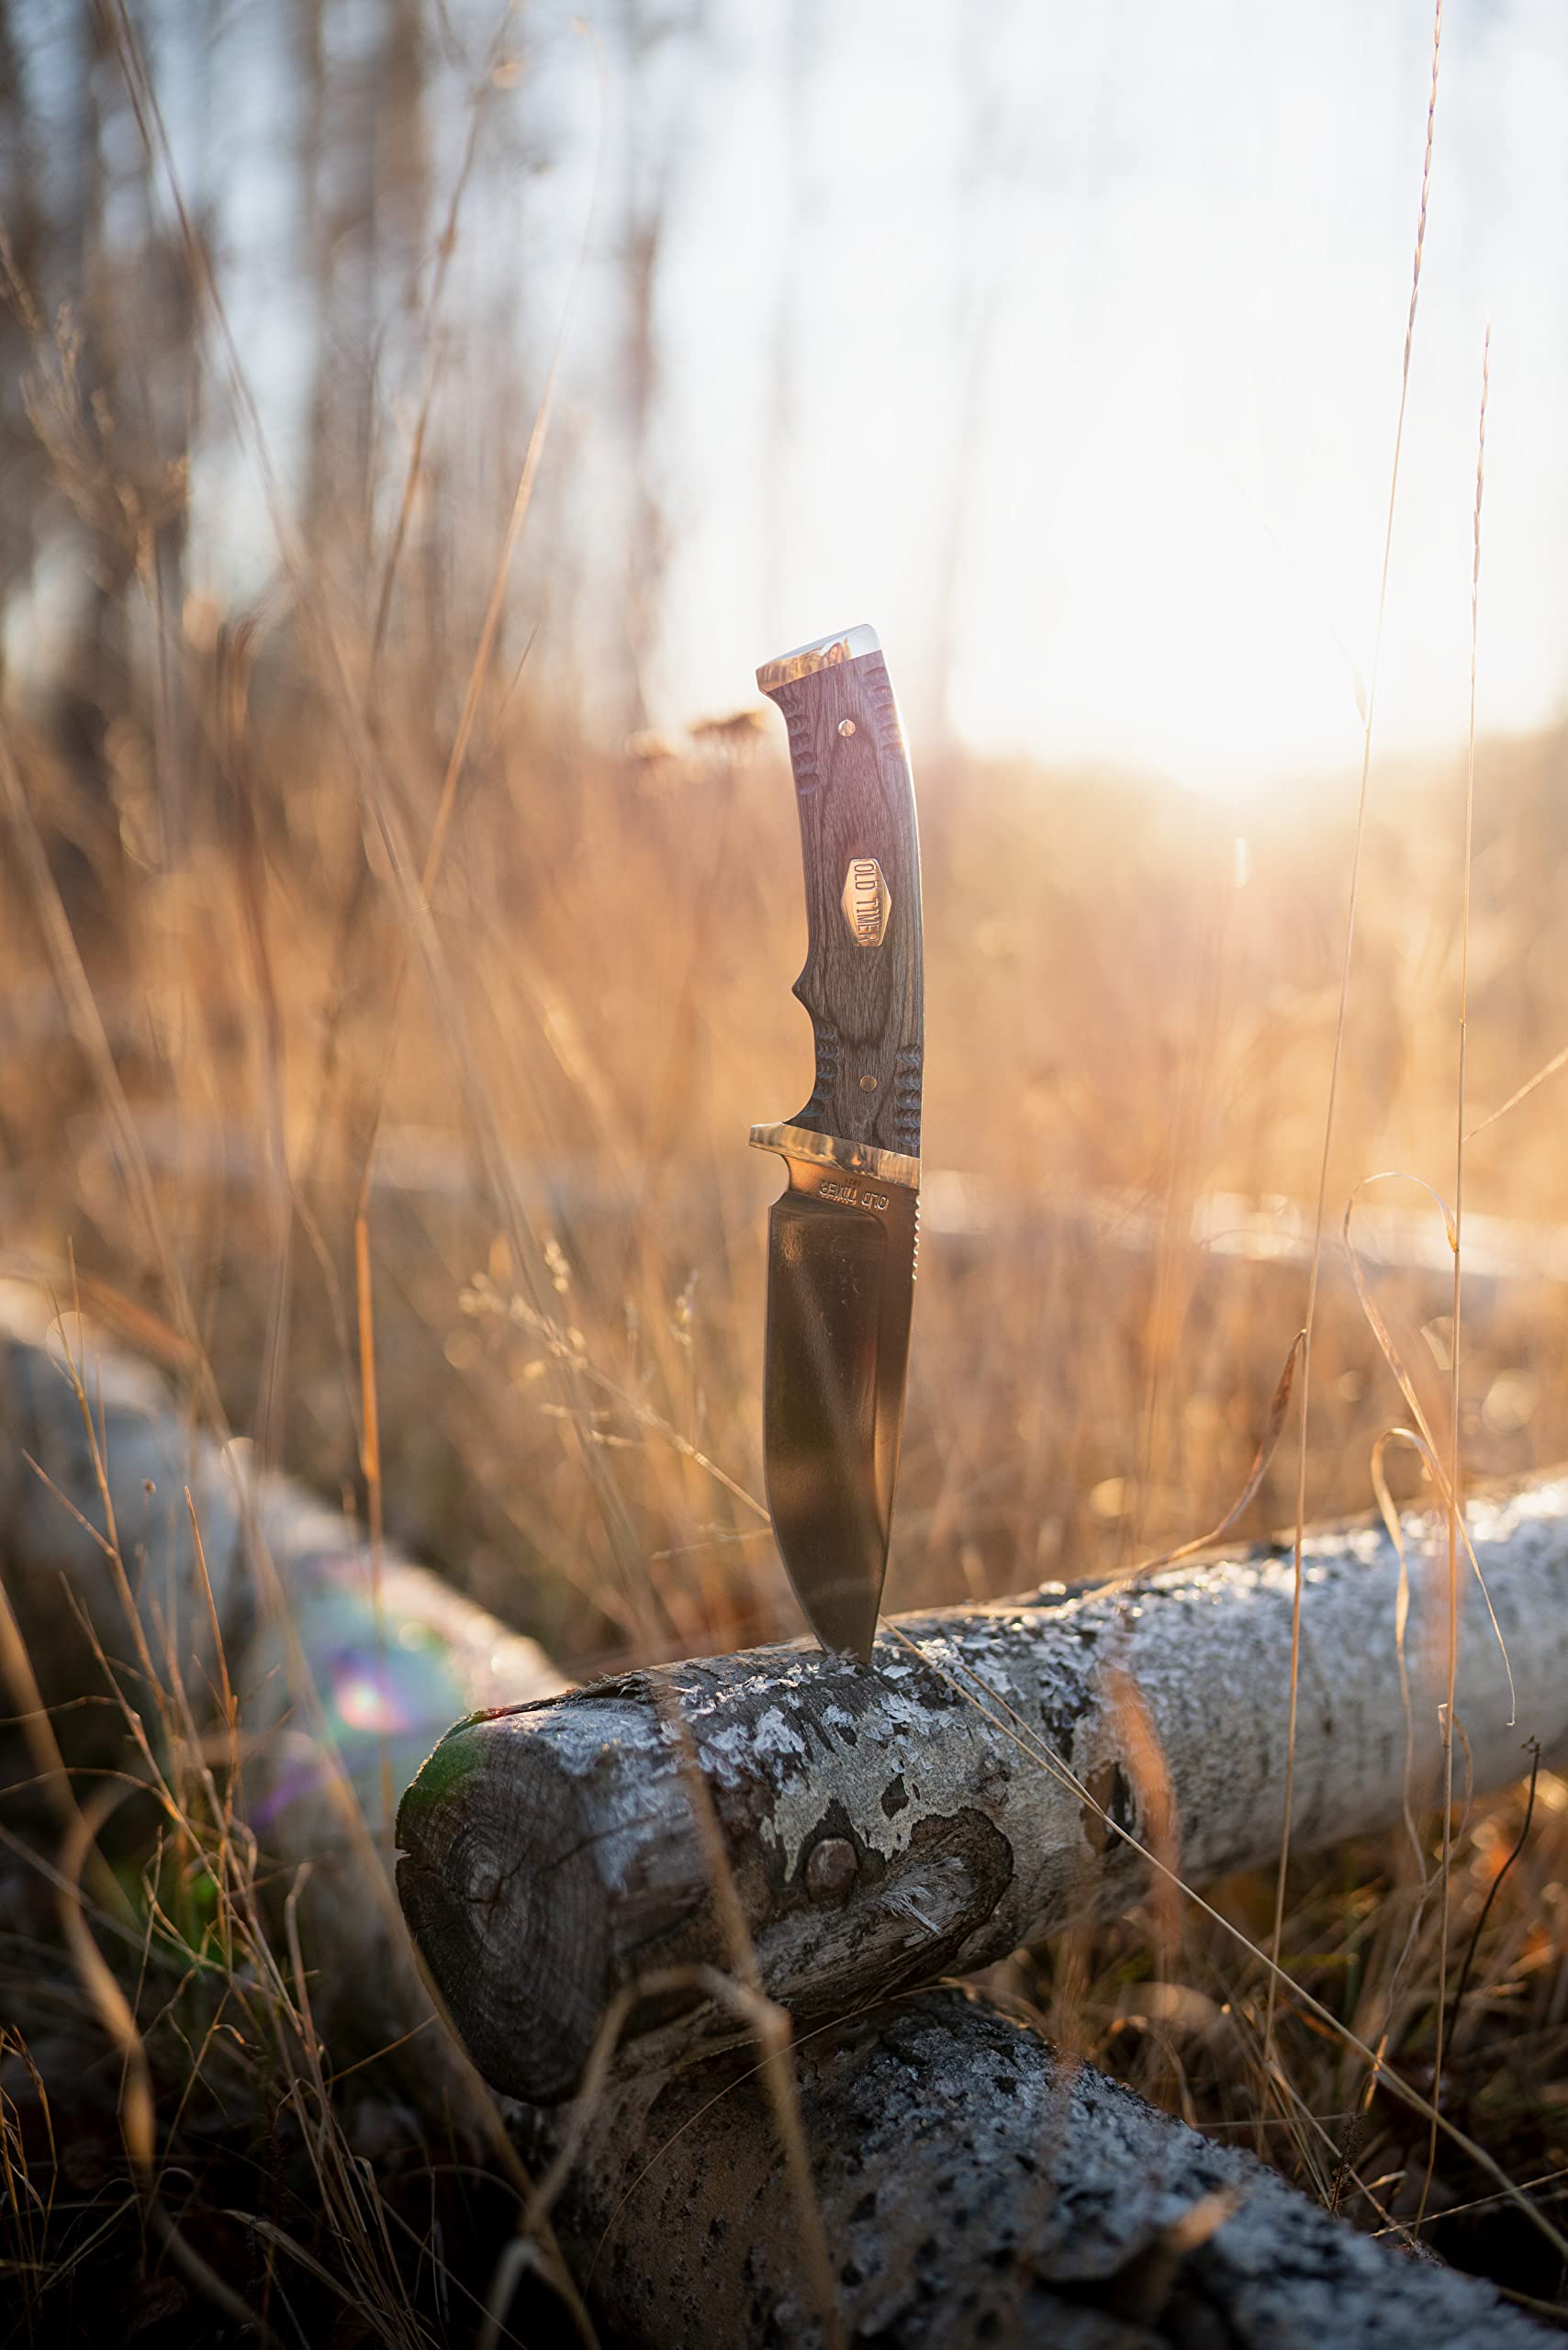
[[1132, 1019]]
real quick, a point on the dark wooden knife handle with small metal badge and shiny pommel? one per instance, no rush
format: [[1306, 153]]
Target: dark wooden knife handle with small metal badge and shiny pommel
[[862, 981]]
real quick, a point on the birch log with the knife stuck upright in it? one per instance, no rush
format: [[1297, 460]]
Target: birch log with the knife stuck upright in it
[[965, 1792]]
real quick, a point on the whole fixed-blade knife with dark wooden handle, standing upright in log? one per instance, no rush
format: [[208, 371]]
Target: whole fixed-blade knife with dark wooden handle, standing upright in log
[[843, 1235]]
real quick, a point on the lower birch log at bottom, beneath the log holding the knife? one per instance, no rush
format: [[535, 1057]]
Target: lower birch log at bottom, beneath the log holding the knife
[[974, 2189]]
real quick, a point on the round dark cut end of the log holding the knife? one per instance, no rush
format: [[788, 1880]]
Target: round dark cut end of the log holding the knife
[[504, 1862]]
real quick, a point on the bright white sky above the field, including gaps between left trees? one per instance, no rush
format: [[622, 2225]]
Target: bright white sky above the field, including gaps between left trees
[[1059, 340]]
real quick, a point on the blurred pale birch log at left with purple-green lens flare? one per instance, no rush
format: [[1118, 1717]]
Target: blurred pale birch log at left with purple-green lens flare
[[344, 1665]]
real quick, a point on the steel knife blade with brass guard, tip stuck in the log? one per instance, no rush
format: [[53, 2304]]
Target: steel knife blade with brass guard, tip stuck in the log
[[843, 1244]]
